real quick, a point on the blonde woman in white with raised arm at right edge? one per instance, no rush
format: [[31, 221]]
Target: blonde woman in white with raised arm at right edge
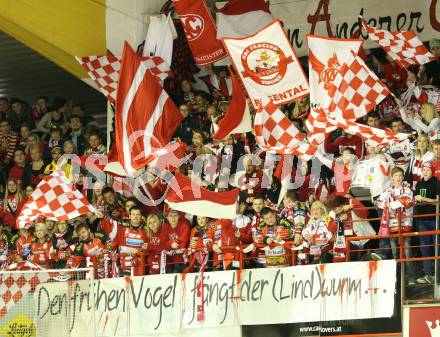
[[428, 124]]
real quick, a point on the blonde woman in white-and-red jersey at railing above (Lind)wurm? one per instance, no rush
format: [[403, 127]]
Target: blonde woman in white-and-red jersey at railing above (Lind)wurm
[[319, 234]]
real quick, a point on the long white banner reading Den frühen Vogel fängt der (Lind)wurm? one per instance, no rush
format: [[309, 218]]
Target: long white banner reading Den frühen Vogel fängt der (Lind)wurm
[[344, 291]]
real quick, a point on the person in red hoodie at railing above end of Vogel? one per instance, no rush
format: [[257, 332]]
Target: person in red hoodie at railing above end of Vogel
[[176, 231]]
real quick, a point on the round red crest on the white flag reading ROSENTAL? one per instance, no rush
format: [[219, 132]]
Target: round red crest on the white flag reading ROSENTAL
[[265, 63]]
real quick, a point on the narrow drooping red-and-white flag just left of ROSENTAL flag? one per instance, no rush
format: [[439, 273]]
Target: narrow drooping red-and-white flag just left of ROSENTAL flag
[[238, 117]]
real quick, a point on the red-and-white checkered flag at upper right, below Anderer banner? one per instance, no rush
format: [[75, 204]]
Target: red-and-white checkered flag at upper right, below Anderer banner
[[403, 47]]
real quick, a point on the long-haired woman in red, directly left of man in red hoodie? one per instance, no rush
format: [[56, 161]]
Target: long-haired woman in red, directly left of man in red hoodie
[[156, 242]]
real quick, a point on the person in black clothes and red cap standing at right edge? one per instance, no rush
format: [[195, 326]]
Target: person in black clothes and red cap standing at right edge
[[426, 191]]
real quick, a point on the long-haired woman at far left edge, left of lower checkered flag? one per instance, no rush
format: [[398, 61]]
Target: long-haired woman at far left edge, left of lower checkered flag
[[12, 203]]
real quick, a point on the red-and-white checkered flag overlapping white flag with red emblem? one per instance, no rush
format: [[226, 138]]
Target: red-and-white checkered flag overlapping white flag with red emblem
[[356, 90]]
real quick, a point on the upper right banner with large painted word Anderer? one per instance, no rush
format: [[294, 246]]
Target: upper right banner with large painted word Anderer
[[339, 18]]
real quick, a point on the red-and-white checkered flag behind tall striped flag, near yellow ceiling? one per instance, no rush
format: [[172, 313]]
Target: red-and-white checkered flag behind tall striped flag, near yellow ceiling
[[104, 71]]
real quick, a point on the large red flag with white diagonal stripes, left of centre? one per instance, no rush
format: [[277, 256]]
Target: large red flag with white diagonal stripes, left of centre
[[145, 118]]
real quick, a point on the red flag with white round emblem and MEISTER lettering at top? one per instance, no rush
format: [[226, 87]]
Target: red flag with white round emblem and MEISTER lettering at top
[[200, 31]]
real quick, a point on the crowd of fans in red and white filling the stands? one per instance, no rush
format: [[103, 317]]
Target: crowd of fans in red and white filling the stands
[[270, 223]]
